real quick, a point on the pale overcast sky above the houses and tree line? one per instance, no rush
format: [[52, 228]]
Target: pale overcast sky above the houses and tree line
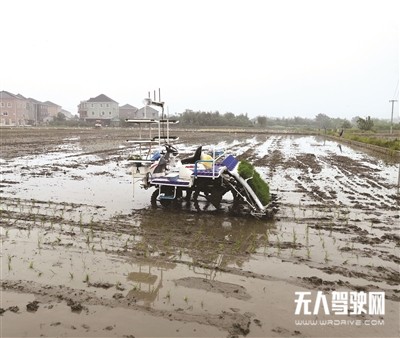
[[275, 58]]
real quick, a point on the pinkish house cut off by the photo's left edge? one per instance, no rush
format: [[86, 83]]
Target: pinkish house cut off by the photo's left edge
[[14, 109]]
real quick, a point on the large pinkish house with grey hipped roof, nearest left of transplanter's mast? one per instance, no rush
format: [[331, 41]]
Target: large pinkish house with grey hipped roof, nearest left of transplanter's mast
[[100, 108]]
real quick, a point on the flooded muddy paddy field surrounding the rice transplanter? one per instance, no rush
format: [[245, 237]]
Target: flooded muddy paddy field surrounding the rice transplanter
[[84, 254]]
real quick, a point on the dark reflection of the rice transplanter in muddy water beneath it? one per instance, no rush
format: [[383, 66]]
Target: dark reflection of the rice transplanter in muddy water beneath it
[[210, 240]]
